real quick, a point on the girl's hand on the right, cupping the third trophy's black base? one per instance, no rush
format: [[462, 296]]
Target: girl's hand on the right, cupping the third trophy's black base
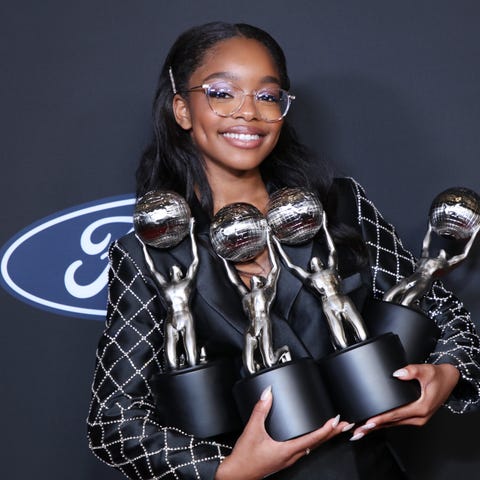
[[436, 381]]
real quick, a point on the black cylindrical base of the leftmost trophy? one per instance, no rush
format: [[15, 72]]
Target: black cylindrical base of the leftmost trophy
[[198, 400]]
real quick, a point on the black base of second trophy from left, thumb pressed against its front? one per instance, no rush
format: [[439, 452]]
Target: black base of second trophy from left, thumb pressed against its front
[[300, 401]]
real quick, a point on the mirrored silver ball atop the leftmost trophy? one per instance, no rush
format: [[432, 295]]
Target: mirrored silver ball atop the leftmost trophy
[[161, 218]]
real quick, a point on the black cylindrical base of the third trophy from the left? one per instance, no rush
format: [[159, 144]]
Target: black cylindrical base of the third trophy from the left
[[360, 382]]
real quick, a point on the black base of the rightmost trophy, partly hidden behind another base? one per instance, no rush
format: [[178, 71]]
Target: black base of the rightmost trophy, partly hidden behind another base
[[418, 333]]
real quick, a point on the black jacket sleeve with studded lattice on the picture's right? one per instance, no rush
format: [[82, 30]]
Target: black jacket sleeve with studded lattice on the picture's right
[[459, 343]]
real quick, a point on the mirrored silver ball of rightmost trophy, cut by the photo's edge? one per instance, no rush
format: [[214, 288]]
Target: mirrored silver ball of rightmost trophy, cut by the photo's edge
[[455, 213]]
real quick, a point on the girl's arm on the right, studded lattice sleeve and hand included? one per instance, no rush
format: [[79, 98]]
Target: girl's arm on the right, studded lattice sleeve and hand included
[[452, 376]]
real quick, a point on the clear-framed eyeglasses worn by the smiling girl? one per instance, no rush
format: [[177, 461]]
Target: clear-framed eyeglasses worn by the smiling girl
[[226, 99]]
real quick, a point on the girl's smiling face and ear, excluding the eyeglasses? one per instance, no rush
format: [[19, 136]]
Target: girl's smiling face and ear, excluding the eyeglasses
[[238, 144]]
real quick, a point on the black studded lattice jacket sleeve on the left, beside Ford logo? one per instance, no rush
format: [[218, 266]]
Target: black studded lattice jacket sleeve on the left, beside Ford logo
[[123, 429]]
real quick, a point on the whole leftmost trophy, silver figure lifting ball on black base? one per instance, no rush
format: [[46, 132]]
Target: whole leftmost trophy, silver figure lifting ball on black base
[[194, 393]]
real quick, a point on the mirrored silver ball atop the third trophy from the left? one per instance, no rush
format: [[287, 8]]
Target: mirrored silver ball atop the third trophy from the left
[[294, 215]]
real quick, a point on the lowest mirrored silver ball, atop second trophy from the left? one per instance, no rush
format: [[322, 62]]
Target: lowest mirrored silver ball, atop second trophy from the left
[[238, 232]]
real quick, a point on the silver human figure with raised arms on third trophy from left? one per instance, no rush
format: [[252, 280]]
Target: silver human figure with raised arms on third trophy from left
[[325, 282]]
